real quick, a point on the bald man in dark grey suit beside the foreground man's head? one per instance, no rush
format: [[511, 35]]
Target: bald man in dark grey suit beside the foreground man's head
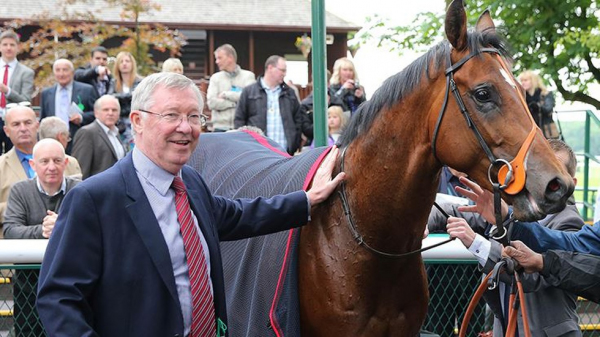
[[97, 146]]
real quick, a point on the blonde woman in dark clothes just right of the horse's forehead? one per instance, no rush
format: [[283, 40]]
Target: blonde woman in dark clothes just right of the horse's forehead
[[539, 100]]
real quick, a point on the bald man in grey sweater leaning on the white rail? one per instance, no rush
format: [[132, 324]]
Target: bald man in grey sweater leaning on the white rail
[[31, 211]]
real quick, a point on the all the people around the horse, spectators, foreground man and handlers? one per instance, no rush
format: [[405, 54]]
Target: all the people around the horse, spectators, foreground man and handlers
[[111, 123]]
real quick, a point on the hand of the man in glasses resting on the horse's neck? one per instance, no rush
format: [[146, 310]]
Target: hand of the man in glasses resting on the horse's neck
[[323, 184]]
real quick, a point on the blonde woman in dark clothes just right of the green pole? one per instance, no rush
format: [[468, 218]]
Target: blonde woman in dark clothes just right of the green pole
[[345, 86]]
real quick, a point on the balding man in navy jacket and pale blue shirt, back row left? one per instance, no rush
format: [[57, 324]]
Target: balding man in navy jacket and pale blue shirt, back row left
[[70, 100]]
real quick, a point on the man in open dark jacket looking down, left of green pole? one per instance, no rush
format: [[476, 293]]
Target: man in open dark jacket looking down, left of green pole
[[272, 106]]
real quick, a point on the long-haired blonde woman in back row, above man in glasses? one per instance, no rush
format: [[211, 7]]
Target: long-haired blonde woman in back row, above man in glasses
[[125, 80]]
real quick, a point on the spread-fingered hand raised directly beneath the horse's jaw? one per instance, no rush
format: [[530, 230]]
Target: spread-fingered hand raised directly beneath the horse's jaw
[[483, 199]]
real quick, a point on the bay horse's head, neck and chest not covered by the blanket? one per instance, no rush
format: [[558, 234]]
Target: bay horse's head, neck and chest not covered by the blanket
[[457, 105]]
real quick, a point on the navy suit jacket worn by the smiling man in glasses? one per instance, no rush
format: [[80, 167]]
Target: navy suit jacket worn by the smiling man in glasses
[[107, 269]]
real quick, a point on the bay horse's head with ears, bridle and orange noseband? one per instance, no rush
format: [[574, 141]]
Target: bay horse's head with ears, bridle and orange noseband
[[491, 101]]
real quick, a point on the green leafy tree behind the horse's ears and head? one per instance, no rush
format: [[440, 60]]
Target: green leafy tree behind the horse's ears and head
[[558, 38]]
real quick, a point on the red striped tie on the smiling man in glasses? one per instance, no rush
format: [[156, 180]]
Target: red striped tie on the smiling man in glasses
[[203, 309]]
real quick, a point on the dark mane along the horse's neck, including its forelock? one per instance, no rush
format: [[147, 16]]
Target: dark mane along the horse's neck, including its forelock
[[403, 83]]
